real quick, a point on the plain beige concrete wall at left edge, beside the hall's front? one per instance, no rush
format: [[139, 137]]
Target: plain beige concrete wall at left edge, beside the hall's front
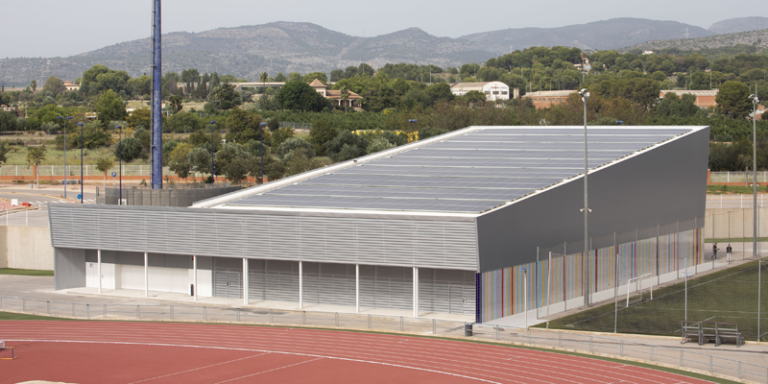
[[26, 248]]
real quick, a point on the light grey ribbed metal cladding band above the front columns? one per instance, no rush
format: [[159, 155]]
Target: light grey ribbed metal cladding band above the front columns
[[228, 233]]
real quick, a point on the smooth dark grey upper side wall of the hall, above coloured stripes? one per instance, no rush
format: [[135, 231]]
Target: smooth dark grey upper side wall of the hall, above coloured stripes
[[661, 186]]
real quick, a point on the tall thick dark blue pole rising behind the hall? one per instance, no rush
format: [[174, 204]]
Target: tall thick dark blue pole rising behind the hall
[[157, 117]]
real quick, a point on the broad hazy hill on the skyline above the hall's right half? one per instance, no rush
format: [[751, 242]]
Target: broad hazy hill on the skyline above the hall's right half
[[598, 35]]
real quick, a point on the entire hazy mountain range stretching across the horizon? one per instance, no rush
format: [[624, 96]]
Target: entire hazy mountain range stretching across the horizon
[[304, 47]]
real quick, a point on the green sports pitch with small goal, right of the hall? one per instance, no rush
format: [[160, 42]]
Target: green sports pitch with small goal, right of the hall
[[729, 296]]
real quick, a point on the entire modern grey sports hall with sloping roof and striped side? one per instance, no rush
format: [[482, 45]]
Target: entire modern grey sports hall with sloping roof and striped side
[[442, 225]]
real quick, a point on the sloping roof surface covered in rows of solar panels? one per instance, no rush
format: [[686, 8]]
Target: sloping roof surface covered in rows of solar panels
[[470, 173]]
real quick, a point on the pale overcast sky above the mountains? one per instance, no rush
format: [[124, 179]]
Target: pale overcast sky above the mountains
[[46, 28]]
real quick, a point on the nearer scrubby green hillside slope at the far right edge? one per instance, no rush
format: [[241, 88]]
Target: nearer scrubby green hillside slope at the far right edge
[[759, 39]]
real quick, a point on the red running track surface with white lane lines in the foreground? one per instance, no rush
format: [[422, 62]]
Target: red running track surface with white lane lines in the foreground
[[99, 352]]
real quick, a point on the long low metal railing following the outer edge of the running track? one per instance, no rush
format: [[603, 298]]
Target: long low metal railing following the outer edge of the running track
[[577, 342]]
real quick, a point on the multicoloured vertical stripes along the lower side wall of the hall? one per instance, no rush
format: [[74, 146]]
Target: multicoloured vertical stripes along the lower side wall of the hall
[[501, 292]]
